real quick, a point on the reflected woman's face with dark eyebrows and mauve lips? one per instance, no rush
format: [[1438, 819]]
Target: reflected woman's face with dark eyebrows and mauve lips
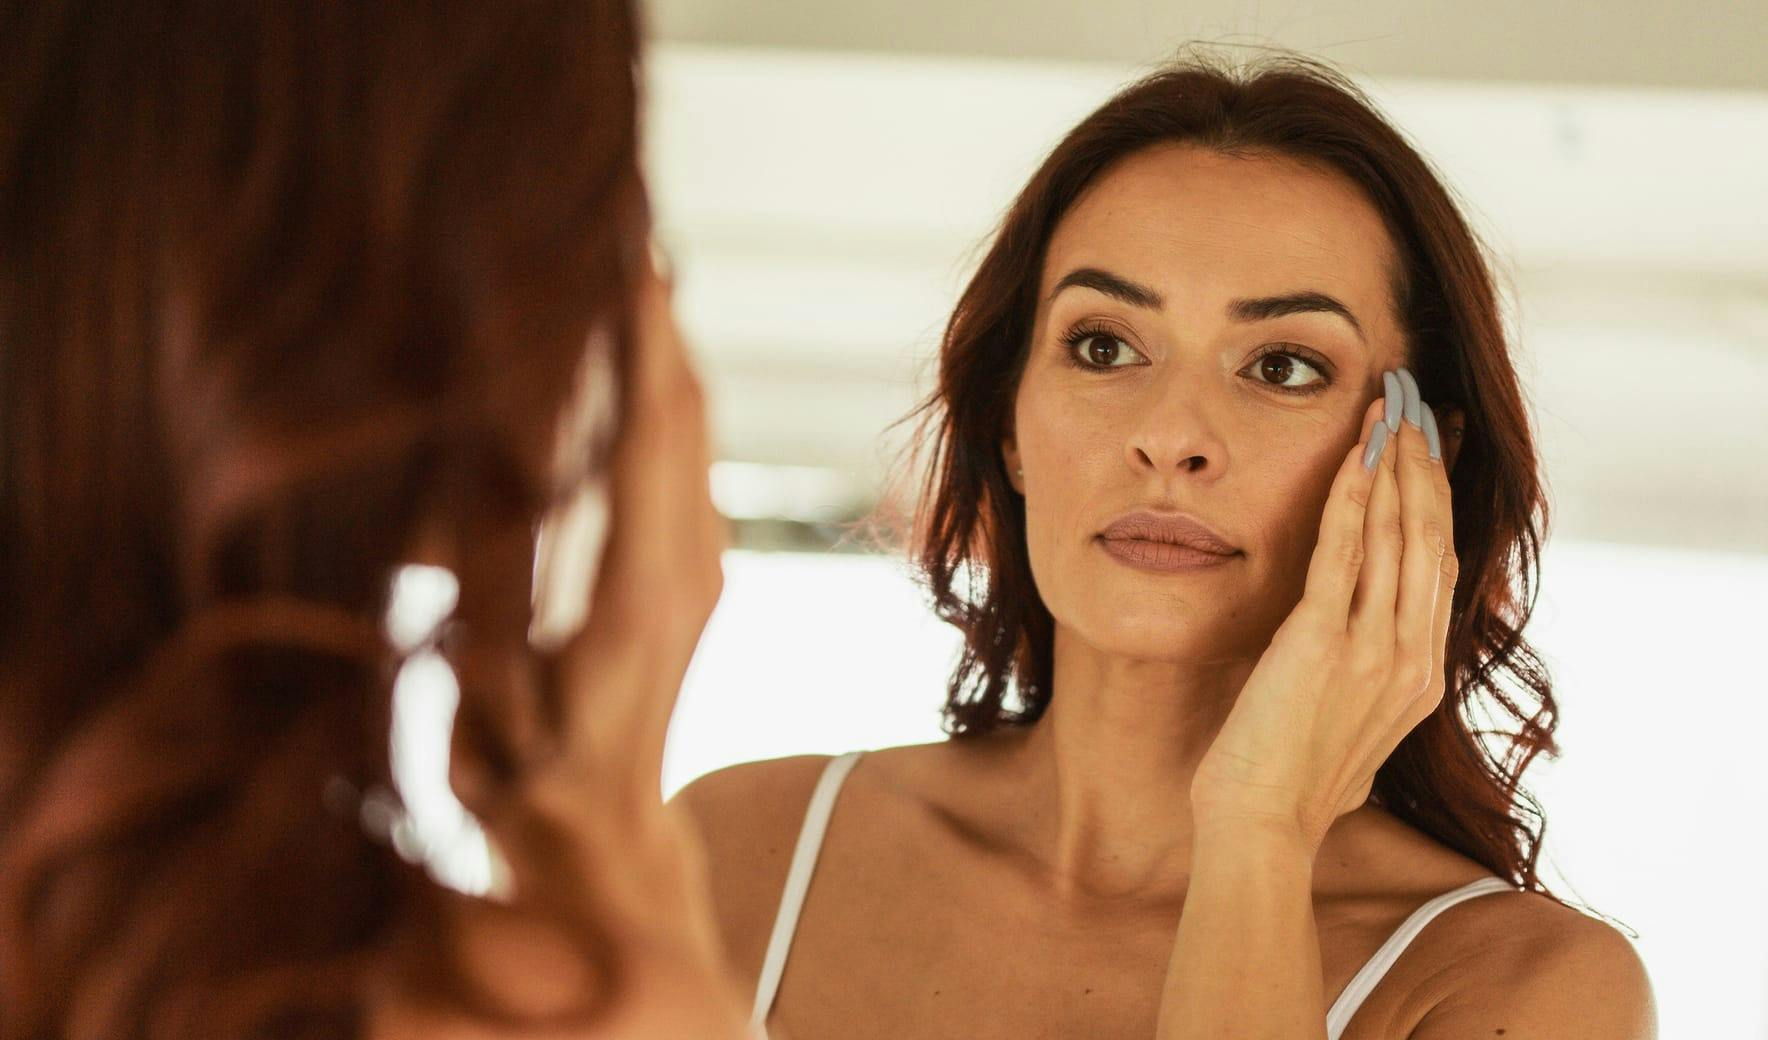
[[1157, 381]]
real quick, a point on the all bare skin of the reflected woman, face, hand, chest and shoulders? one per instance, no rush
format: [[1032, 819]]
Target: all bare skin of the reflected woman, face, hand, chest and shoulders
[[1033, 883]]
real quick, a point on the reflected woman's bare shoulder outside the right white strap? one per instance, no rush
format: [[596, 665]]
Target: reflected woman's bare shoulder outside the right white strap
[[1530, 967]]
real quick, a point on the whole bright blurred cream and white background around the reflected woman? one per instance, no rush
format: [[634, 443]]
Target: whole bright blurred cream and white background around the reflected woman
[[828, 172]]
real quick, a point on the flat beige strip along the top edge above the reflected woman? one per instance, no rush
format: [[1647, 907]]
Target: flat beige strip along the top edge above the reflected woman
[[1626, 43]]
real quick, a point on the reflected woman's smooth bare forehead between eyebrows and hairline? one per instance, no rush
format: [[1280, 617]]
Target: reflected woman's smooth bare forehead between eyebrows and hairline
[[1198, 224]]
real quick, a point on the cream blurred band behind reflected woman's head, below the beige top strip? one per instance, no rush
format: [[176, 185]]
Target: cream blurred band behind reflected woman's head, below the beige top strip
[[825, 210]]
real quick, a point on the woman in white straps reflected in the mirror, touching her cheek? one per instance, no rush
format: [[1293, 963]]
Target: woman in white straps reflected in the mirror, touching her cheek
[[1208, 770]]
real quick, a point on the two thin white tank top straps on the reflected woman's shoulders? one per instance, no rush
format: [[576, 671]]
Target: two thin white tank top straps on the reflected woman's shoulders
[[818, 823]]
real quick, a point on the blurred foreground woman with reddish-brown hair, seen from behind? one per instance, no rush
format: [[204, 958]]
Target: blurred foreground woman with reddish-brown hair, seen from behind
[[293, 296]]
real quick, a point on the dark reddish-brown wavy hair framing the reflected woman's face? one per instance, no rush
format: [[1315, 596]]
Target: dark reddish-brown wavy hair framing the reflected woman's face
[[970, 537]]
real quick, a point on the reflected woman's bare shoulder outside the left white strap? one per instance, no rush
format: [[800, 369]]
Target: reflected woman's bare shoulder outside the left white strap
[[749, 818]]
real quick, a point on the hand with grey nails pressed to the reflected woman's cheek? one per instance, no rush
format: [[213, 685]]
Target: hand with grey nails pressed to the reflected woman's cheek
[[1359, 662]]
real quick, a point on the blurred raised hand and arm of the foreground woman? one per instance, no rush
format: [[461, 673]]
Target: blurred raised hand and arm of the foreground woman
[[593, 834]]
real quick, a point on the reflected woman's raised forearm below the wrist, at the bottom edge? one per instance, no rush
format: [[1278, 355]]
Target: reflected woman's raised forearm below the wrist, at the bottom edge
[[1247, 960]]
